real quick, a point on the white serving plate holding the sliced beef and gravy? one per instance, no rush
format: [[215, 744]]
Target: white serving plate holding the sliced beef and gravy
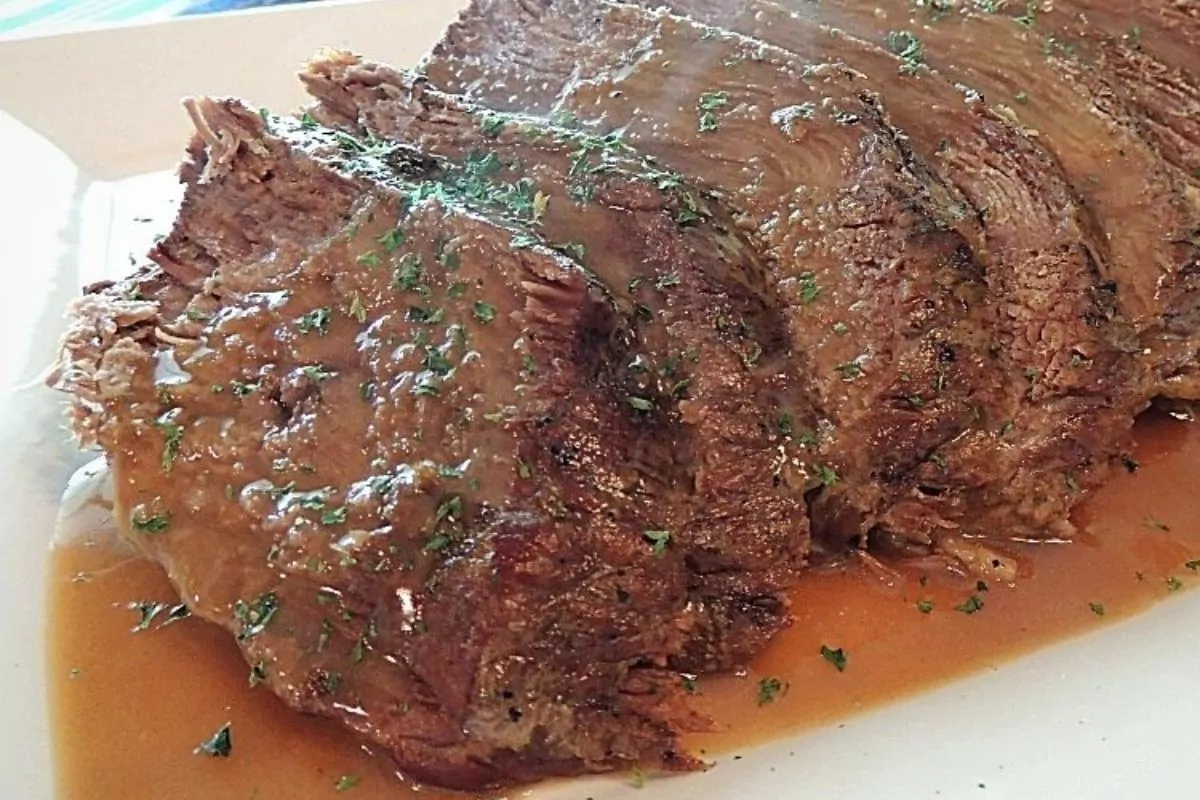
[[88, 124]]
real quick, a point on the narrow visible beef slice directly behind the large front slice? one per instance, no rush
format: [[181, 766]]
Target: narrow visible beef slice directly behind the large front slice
[[596, 194]]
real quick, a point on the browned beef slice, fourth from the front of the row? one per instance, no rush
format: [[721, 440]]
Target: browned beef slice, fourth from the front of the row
[[1045, 254]]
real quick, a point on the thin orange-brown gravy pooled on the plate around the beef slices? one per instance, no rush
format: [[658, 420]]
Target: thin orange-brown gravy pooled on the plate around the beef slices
[[131, 708]]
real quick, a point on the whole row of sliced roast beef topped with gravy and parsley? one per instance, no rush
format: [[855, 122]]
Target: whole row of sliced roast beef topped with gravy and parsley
[[487, 405]]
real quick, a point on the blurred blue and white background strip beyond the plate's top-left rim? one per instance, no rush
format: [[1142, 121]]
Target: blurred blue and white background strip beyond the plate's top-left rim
[[39, 17]]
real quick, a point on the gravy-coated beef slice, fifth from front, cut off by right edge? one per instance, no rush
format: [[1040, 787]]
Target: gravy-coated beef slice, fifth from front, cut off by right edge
[[1099, 124]]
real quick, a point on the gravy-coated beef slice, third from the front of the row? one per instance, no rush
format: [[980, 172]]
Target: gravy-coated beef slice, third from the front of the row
[[873, 255]]
